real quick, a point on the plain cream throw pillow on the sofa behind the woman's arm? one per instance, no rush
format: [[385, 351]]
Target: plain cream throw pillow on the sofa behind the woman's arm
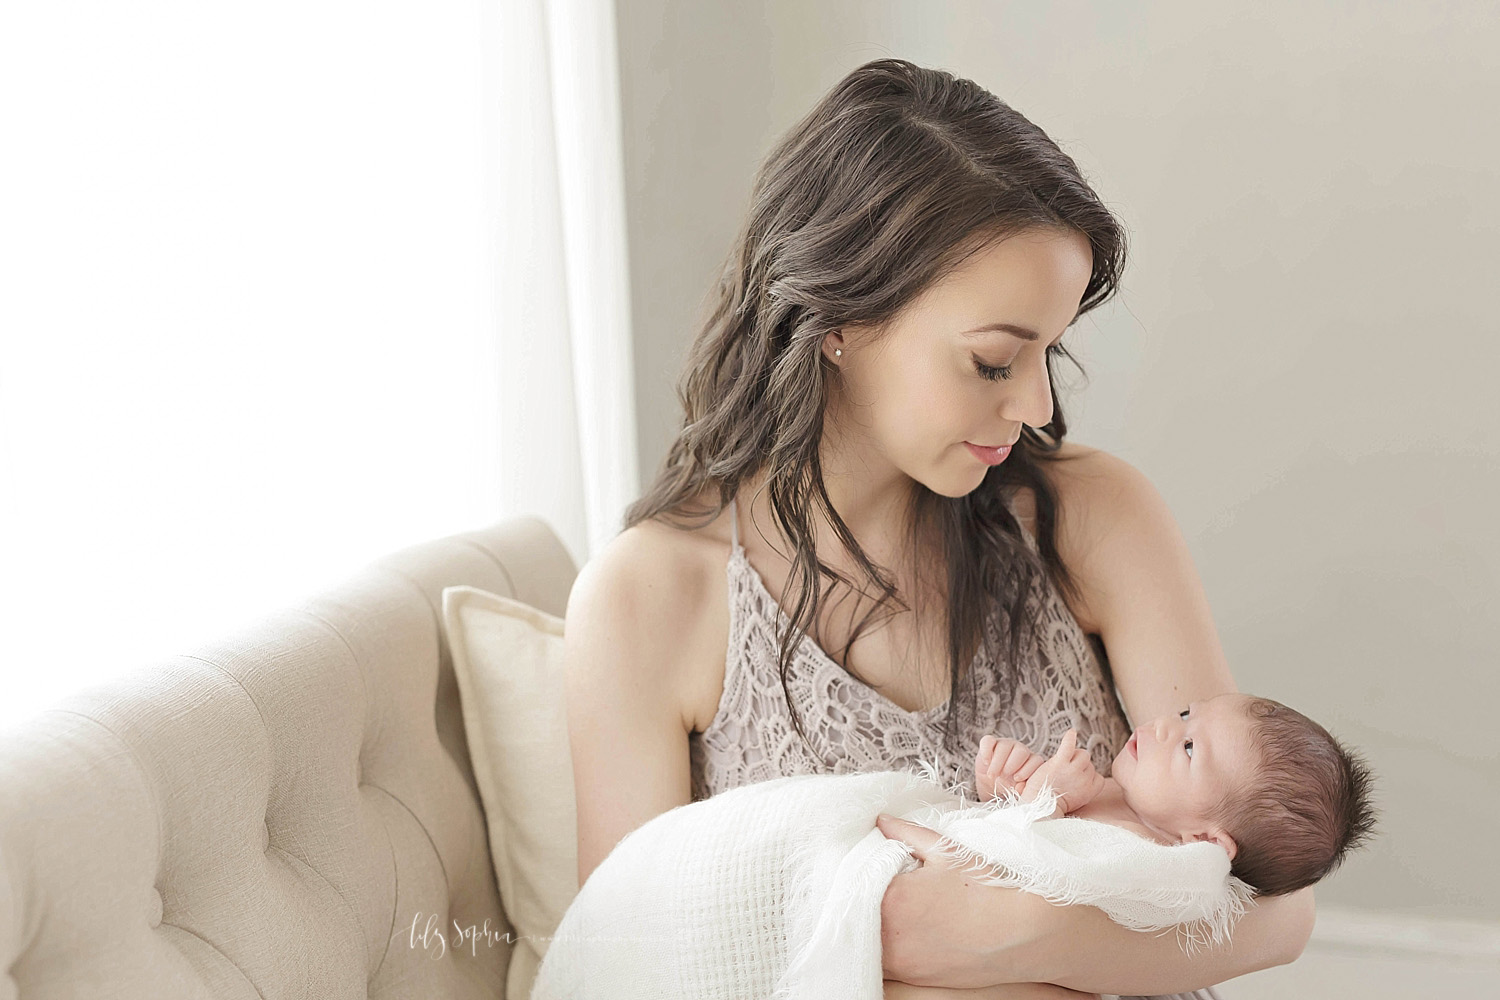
[[509, 663]]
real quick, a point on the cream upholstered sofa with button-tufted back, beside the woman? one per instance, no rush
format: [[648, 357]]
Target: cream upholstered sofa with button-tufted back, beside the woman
[[286, 813]]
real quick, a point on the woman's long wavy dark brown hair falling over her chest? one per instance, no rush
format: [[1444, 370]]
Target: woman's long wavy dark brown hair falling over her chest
[[895, 179]]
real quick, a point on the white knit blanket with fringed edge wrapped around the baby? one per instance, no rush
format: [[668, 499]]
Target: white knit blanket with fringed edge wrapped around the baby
[[772, 891]]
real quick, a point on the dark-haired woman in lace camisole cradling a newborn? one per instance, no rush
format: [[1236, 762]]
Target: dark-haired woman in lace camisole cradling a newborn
[[871, 434]]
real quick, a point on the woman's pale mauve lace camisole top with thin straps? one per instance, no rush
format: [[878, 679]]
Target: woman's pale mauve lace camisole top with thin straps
[[1060, 686]]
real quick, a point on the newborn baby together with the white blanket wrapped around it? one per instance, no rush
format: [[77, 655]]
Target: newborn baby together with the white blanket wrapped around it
[[773, 890]]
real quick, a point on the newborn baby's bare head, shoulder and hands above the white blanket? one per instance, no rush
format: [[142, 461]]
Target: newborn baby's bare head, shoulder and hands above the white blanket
[[1261, 780]]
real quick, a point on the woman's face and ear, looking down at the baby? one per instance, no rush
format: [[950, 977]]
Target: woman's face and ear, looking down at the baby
[[914, 401]]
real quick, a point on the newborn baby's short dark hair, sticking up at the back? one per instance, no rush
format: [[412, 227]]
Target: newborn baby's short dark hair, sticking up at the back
[[1309, 804]]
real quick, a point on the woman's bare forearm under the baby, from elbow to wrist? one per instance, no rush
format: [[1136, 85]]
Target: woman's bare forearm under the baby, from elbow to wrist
[[1085, 950]]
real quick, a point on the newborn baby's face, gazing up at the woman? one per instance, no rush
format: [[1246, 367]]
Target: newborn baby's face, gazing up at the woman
[[1177, 768]]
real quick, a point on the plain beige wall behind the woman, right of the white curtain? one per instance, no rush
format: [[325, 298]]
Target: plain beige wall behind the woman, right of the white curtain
[[1304, 358]]
